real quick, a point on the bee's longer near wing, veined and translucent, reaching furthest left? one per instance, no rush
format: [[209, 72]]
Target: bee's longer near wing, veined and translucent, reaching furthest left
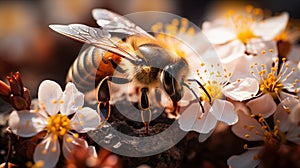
[[98, 37]]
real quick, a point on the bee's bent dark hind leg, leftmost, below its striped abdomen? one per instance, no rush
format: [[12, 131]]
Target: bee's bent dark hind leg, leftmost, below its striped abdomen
[[103, 95]]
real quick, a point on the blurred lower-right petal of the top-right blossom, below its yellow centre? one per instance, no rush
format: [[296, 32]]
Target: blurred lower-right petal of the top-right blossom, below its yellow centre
[[255, 46]]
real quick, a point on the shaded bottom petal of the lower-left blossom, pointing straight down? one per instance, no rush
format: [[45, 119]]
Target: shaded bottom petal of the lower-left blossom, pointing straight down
[[47, 151]]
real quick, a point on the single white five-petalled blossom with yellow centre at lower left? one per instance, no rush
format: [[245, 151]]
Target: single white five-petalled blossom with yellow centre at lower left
[[53, 117]]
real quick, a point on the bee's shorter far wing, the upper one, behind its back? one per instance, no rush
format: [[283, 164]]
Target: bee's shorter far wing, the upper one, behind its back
[[113, 22]]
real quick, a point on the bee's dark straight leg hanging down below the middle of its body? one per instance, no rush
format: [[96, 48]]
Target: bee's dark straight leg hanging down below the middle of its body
[[144, 105]]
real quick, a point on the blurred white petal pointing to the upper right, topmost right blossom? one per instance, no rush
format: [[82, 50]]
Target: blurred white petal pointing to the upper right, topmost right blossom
[[271, 27]]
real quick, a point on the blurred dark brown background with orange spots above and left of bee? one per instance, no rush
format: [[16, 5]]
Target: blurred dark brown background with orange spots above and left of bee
[[29, 46]]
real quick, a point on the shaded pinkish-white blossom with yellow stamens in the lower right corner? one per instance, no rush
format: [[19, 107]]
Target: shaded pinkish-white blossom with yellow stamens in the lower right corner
[[253, 127]]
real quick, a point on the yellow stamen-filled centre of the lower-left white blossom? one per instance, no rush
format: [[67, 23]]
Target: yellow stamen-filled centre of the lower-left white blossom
[[58, 125]]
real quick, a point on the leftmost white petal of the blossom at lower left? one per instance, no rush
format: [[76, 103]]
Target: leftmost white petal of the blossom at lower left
[[26, 123]]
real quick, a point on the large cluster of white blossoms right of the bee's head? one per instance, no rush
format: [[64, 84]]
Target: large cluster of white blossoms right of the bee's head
[[257, 87]]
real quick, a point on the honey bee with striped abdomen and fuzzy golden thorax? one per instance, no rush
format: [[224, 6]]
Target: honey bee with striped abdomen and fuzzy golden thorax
[[143, 59]]
